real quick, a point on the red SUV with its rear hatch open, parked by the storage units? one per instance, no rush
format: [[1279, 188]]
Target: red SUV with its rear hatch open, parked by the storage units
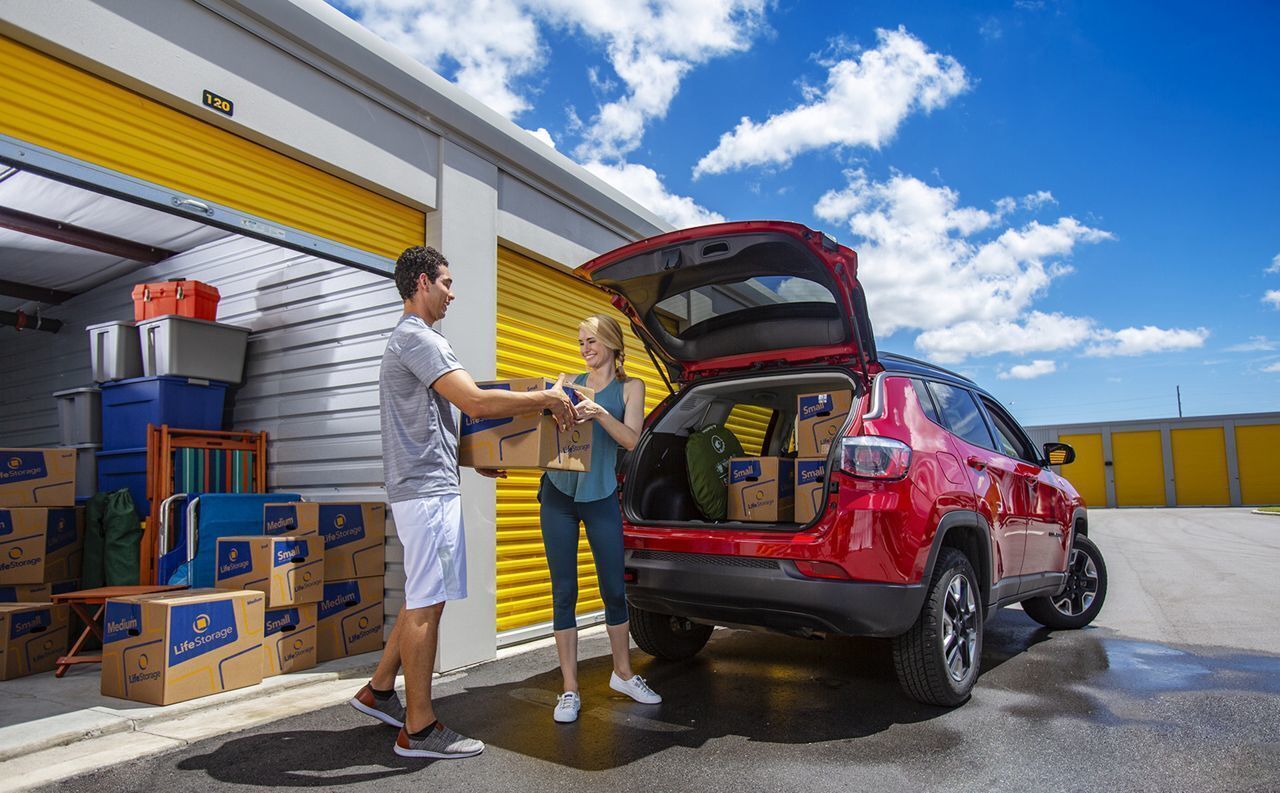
[[936, 508]]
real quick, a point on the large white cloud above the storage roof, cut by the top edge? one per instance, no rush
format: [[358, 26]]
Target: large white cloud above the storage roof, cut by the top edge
[[493, 47]]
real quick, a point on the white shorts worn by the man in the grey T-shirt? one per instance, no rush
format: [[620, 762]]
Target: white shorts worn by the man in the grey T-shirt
[[436, 549]]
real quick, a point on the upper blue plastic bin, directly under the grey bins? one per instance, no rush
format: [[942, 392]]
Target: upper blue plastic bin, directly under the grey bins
[[130, 406]]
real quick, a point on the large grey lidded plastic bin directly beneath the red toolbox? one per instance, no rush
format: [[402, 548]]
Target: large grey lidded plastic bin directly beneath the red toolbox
[[181, 347]]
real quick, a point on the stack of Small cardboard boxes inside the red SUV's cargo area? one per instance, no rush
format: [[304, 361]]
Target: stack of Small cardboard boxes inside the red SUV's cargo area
[[789, 491]]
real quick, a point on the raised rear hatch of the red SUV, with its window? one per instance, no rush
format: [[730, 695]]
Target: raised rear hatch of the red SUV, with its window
[[740, 296]]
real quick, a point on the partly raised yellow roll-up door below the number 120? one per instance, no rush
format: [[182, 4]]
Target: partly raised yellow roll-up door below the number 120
[[62, 108]]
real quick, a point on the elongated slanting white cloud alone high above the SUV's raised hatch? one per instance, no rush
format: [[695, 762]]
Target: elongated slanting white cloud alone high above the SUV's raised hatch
[[863, 103]]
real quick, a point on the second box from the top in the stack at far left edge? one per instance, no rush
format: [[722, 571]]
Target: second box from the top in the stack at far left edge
[[40, 546]]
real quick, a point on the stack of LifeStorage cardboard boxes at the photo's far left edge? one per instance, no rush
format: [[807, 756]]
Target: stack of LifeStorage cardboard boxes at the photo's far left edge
[[42, 543]]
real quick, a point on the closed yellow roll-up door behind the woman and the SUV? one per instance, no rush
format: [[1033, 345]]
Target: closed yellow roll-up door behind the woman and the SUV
[[540, 309]]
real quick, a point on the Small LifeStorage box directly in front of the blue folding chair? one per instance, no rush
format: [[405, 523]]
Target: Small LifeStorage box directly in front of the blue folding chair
[[289, 570]]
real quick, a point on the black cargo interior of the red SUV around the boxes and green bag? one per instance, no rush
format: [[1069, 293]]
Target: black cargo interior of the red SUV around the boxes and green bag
[[657, 474]]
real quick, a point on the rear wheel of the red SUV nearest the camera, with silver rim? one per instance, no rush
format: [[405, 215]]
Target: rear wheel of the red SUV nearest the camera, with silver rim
[[939, 658]]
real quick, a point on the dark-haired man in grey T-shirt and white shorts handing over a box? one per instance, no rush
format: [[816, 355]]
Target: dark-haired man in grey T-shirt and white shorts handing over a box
[[420, 384]]
